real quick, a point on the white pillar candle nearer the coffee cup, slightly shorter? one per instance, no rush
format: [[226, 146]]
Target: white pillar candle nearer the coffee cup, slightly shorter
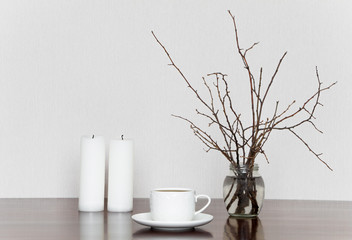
[[120, 190]]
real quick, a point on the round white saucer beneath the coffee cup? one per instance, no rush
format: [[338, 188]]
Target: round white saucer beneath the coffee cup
[[199, 220]]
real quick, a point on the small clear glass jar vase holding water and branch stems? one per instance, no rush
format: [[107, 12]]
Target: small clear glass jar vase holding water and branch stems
[[243, 191]]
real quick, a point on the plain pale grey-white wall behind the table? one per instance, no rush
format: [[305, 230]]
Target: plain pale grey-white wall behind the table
[[70, 68]]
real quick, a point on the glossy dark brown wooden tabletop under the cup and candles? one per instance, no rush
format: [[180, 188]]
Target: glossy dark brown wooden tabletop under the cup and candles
[[280, 219]]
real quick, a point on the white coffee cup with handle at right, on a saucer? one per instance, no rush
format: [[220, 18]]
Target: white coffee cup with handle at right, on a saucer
[[174, 204]]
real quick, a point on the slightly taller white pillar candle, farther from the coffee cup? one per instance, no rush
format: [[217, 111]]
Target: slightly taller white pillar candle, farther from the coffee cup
[[92, 179]]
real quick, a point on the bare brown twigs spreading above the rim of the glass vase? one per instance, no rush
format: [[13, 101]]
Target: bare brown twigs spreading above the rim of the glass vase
[[242, 143]]
